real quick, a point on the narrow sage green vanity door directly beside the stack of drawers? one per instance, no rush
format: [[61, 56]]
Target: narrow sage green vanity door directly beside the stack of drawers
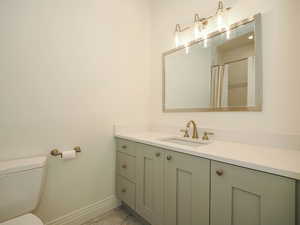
[[150, 183]]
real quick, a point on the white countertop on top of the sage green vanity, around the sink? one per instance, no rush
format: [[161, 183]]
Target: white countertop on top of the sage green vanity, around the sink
[[277, 161]]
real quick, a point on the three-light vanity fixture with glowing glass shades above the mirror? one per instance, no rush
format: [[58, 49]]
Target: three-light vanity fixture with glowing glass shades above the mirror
[[200, 25]]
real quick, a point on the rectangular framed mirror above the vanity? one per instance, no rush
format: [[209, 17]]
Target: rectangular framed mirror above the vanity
[[223, 74]]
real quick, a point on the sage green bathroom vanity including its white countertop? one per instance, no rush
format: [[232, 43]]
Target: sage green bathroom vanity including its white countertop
[[220, 183]]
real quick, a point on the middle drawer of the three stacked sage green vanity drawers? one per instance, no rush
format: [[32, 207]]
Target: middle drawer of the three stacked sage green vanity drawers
[[126, 165]]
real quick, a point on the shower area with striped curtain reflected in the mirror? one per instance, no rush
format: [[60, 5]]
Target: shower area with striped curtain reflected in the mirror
[[234, 66]]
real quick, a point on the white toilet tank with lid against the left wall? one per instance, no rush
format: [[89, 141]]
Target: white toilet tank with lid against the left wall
[[21, 184]]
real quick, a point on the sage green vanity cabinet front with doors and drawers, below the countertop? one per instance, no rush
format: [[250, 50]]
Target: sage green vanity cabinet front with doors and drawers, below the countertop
[[170, 188]]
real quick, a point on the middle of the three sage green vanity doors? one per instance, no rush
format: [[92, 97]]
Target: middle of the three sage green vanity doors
[[187, 183]]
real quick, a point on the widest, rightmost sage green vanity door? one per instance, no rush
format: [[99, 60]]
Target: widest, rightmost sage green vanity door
[[242, 196]]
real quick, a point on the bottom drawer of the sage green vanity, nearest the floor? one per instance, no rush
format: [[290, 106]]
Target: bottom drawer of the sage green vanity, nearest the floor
[[126, 191]]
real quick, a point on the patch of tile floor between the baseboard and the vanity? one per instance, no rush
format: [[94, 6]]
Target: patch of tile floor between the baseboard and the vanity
[[115, 217]]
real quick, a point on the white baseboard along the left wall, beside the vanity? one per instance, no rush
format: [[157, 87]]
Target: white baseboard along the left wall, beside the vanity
[[84, 214]]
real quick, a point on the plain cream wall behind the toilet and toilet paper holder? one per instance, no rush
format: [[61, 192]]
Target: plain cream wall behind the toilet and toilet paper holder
[[69, 71]]
